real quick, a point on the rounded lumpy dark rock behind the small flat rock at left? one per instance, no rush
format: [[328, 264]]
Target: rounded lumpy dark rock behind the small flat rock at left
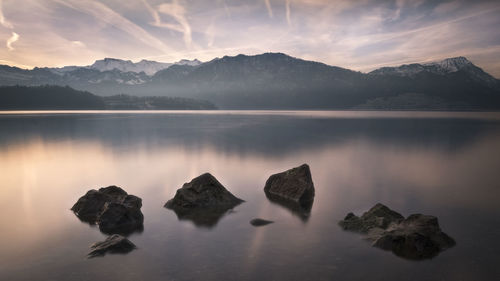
[[112, 209]]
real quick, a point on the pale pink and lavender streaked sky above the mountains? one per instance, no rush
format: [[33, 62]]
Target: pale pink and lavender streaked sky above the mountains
[[357, 34]]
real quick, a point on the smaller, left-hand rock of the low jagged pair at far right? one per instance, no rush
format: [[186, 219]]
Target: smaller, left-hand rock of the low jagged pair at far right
[[378, 216]]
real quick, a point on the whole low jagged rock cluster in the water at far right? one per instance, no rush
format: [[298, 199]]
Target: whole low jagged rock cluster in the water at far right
[[416, 237]]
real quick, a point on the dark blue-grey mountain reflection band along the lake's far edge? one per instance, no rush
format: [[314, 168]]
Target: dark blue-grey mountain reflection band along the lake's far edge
[[244, 134]]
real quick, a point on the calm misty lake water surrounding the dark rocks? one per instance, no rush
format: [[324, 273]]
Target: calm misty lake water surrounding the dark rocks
[[443, 164]]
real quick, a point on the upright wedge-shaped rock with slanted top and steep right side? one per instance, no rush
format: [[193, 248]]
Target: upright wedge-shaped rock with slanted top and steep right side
[[294, 185]]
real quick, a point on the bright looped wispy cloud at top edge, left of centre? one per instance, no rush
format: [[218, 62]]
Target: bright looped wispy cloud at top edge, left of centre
[[178, 13]]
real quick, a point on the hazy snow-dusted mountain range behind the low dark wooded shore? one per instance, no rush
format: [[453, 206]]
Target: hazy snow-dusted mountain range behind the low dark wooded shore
[[279, 81]]
